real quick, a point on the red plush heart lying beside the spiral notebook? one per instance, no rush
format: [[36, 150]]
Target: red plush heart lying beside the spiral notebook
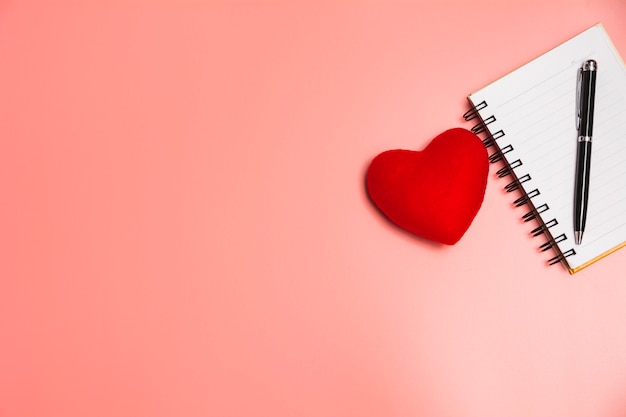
[[434, 193]]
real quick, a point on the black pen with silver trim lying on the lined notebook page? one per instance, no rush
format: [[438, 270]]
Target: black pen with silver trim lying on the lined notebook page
[[586, 91]]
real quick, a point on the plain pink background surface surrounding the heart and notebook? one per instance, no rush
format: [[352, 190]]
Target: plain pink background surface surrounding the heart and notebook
[[184, 229]]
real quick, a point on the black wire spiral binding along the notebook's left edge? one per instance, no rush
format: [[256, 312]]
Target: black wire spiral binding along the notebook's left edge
[[534, 213]]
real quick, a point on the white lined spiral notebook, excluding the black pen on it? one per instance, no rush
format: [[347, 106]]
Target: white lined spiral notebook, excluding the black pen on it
[[529, 119]]
